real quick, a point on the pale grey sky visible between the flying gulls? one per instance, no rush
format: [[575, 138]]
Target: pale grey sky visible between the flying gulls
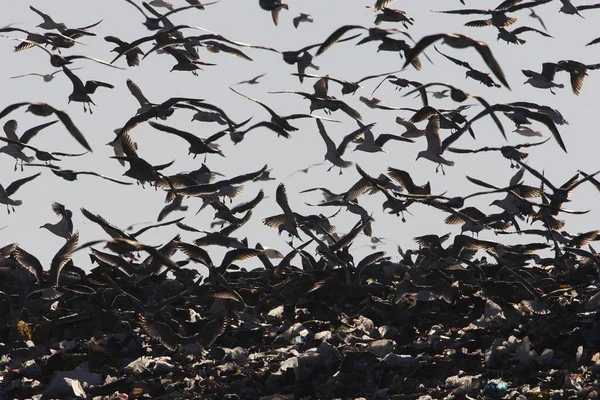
[[245, 21]]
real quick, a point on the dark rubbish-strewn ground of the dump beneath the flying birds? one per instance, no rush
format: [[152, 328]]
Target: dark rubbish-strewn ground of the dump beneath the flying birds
[[393, 332]]
